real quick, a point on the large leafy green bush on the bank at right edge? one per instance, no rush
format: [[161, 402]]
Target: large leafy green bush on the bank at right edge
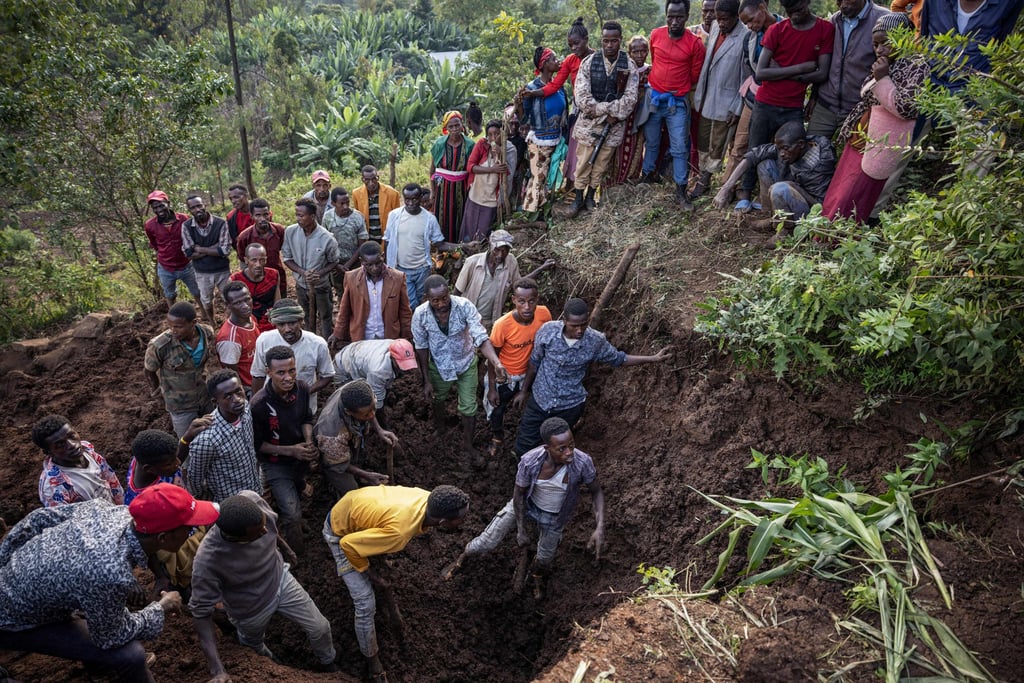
[[929, 301]]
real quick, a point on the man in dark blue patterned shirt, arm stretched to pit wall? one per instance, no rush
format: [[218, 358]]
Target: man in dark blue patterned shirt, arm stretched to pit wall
[[563, 353]]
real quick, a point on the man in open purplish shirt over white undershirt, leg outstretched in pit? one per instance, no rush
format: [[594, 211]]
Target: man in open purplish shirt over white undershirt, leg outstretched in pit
[[547, 488]]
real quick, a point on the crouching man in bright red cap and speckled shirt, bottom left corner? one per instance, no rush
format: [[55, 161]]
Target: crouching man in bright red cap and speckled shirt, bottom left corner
[[79, 613]]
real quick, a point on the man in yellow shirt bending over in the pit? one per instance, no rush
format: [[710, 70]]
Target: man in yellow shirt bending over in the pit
[[379, 521]]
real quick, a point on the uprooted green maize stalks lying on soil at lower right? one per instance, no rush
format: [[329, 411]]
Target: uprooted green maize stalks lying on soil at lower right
[[873, 544]]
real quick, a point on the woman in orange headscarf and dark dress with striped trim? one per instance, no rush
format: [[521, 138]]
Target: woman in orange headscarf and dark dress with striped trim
[[449, 157]]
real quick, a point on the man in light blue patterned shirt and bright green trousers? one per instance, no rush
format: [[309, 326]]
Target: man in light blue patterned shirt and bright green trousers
[[447, 332]]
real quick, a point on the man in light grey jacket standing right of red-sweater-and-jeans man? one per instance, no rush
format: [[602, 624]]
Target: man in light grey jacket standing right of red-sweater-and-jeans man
[[717, 96]]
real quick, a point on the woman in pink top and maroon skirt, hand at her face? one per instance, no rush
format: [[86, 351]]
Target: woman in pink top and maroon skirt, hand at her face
[[879, 130]]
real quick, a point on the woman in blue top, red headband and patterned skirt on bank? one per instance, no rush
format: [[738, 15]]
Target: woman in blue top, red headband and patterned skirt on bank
[[546, 117]]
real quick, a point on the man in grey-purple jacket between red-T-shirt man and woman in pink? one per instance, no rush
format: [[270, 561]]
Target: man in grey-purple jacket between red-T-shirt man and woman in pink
[[854, 56]]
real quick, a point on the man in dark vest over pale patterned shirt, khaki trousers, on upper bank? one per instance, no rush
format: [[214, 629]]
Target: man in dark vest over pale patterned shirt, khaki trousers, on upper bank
[[606, 96]]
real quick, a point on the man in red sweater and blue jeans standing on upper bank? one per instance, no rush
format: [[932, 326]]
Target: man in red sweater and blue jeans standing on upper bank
[[676, 58]]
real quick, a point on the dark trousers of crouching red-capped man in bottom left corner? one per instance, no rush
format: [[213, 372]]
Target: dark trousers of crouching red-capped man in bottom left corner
[[70, 641]]
